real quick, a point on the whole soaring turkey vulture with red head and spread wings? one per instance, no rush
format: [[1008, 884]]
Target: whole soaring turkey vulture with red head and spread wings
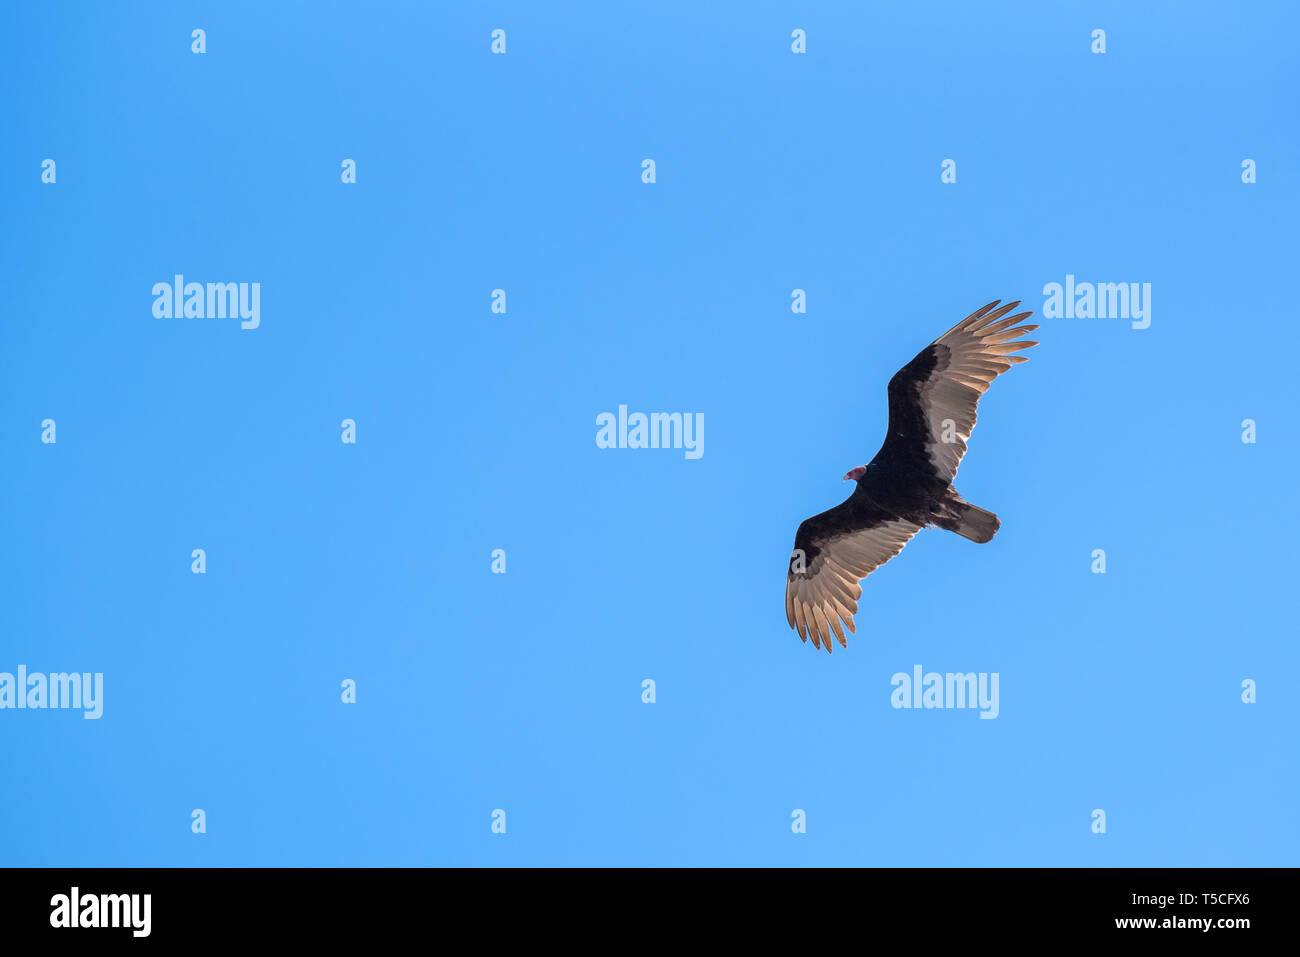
[[909, 484]]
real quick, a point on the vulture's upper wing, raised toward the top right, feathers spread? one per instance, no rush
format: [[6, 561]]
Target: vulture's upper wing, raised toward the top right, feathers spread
[[933, 399]]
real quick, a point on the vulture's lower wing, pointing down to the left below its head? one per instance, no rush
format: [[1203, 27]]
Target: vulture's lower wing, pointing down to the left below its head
[[833, 553]]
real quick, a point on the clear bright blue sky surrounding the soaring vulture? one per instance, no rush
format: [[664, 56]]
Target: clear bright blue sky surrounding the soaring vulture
[[476, 432]]
